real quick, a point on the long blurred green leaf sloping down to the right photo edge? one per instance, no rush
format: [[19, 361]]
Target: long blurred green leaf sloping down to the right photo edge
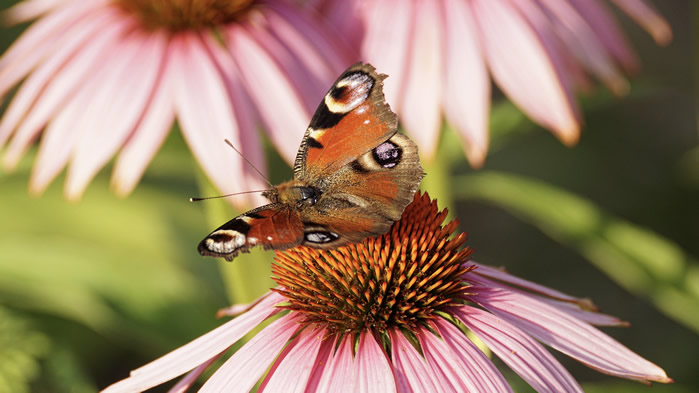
[[640, 260]]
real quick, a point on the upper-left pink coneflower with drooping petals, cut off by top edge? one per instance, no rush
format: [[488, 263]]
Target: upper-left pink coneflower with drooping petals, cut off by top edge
[[107, 76]]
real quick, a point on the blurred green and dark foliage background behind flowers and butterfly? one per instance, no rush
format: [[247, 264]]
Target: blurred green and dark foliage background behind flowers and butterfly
[[89, 291]]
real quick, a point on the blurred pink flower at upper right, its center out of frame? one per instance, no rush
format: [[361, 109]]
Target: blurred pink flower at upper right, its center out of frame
[[441, 55]]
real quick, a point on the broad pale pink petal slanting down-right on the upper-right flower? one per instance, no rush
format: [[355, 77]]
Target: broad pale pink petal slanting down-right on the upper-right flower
[[526, 66]]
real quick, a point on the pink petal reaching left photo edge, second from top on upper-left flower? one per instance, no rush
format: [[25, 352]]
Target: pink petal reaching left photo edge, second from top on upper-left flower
[[37, 42]]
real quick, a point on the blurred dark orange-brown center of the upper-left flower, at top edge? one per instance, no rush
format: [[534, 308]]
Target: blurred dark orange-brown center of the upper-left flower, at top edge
[[176, 15]]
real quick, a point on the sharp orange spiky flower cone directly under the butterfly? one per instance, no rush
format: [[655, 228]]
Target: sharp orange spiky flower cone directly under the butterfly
[[397, 280]]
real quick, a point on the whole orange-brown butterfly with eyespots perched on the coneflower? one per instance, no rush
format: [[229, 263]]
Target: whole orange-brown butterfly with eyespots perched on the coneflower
[[354, 174]]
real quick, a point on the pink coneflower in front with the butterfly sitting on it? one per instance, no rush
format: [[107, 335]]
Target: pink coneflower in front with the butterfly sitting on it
[[390, 314]]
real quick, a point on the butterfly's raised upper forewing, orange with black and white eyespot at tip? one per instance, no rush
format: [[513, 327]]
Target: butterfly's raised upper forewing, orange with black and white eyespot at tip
[[352, 119]]
